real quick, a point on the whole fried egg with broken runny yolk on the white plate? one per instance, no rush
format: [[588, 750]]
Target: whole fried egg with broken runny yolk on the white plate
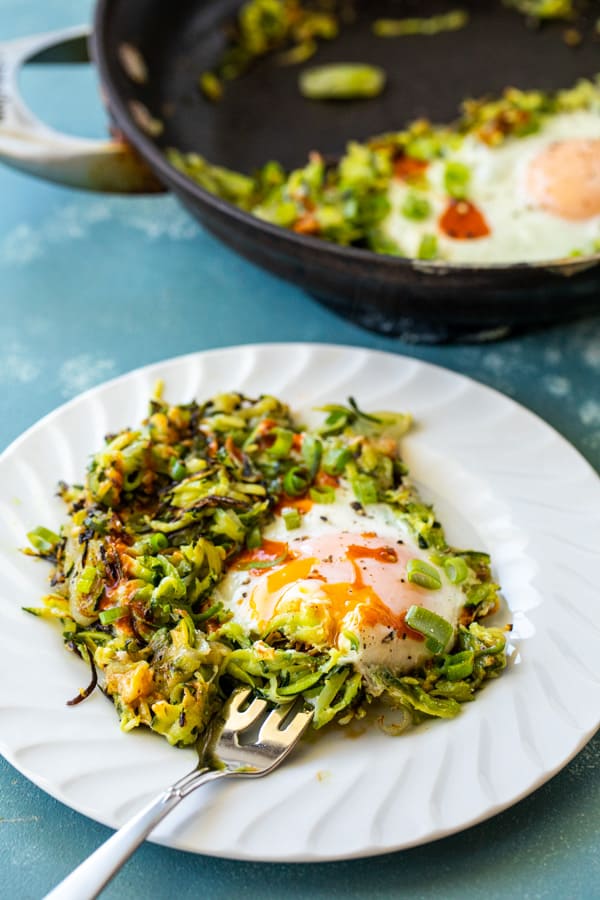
[[339, 581]]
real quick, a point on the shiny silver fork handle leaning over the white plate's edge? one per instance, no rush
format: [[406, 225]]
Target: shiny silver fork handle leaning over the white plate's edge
[[91, 876]]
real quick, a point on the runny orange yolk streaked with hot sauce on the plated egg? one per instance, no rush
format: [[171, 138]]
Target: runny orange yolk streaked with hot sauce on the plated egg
[[358, 574]]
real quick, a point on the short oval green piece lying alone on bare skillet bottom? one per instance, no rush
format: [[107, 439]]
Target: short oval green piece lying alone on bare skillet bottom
[[342, 81]]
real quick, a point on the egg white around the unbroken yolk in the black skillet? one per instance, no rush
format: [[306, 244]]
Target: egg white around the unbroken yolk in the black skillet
[[521, 231]]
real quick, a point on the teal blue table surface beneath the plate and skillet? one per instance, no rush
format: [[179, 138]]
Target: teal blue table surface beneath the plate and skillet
[[92, 286]]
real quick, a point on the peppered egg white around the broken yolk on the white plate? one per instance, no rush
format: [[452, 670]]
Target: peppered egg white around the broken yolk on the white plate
[[365, 646]]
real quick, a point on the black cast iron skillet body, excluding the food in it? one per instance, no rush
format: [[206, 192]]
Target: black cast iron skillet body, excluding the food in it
[[264, 117]]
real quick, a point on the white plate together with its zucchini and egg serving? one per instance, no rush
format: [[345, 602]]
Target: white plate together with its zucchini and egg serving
[[474, 456]]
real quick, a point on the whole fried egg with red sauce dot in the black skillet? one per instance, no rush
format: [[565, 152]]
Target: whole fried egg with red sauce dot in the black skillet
[[530, 198]]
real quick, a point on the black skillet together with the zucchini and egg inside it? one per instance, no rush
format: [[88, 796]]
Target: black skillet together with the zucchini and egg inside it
[[428, 191]]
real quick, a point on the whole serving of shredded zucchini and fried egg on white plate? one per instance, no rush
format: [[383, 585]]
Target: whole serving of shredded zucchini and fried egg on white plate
[[222, 544]]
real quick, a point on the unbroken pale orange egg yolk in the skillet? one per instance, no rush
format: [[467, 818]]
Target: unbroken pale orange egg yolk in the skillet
[[564, 178]]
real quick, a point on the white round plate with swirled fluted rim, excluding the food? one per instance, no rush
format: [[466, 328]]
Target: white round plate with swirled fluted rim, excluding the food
[[501, 480]]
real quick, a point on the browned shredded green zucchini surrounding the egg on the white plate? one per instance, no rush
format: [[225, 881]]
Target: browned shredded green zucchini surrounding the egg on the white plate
[[168, 507]]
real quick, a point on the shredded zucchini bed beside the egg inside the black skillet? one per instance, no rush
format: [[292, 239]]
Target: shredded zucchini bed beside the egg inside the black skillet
[[347, 203]]
